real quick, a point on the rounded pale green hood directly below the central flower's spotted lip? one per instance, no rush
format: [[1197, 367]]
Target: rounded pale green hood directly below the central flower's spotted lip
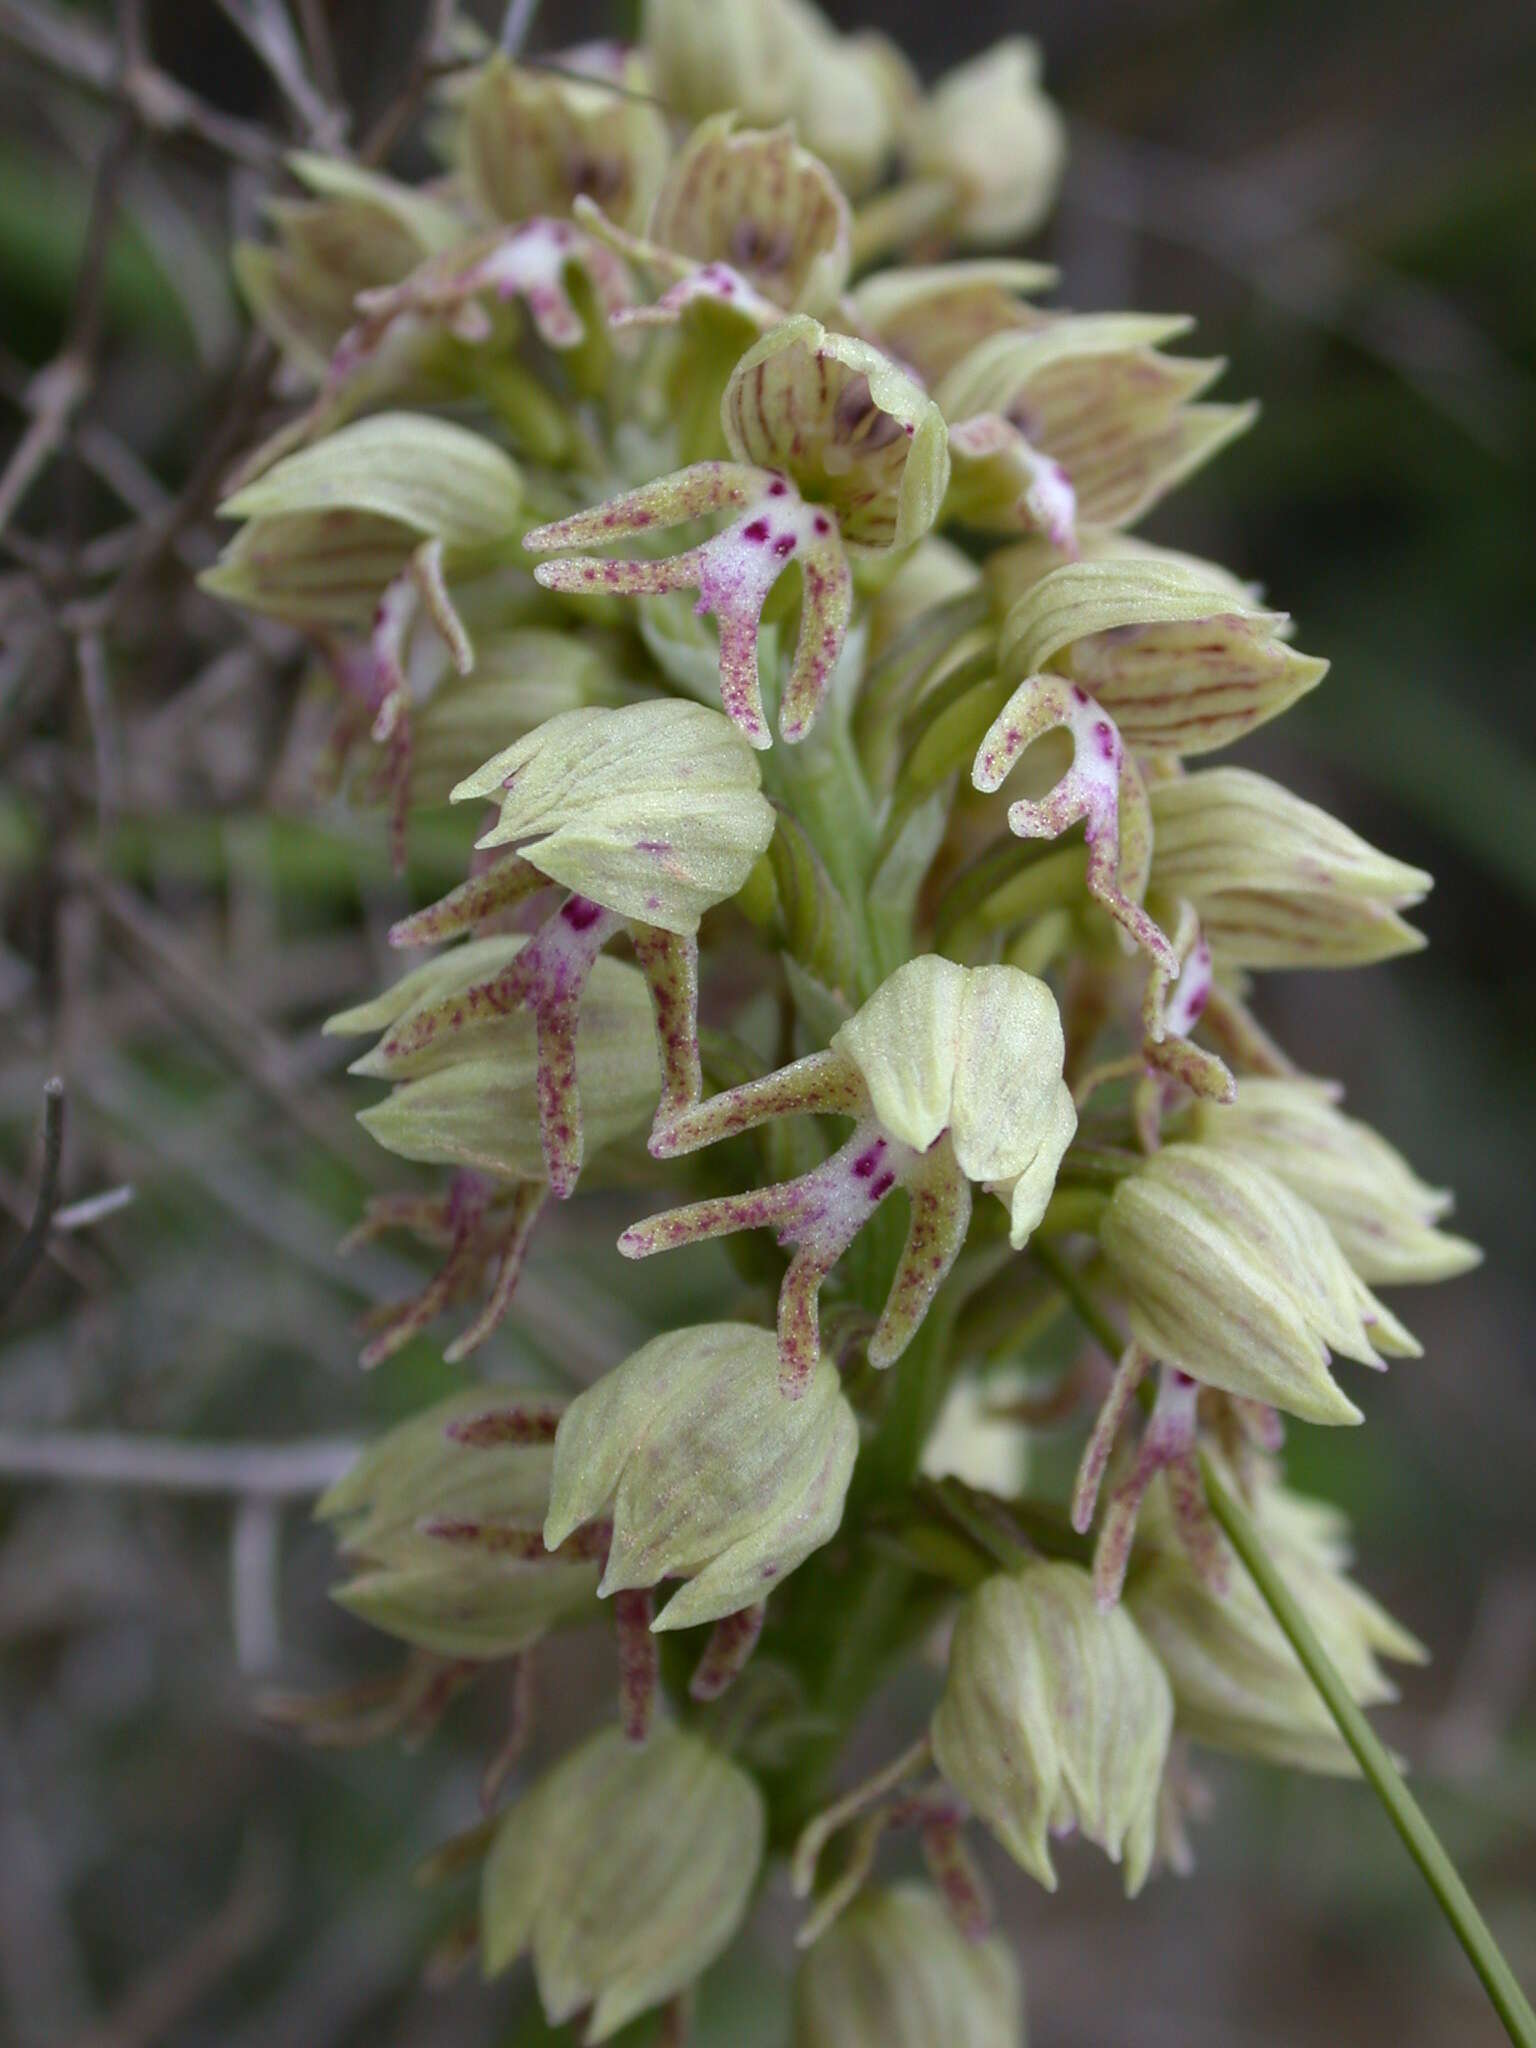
[[708, 1474]]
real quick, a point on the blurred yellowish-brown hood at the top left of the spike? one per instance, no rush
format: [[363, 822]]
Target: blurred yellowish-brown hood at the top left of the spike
[[536, 140]]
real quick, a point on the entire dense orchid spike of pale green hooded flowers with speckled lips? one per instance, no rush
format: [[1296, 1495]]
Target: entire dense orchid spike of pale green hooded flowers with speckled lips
[[695, 490]]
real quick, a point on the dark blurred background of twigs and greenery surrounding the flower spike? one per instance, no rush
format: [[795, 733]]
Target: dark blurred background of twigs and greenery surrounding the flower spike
[[1342, 196]]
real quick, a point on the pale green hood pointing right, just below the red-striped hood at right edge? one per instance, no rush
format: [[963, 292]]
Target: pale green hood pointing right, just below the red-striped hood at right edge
[[1277, 882]]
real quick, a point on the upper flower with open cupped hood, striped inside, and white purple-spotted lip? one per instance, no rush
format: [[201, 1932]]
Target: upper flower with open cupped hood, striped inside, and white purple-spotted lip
[[837, 454]]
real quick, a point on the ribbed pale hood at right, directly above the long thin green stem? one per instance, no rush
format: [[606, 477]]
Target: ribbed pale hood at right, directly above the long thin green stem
[[1238, 1283]]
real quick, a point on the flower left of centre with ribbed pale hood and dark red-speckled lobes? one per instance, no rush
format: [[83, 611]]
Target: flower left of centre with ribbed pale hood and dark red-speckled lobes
[[648, 816]]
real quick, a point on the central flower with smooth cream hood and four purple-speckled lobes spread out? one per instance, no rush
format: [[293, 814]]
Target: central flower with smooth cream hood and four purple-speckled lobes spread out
[[951, 1076]]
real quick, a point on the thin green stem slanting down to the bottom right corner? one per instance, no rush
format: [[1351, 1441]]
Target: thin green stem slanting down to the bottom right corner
[[1383, 1777]]
